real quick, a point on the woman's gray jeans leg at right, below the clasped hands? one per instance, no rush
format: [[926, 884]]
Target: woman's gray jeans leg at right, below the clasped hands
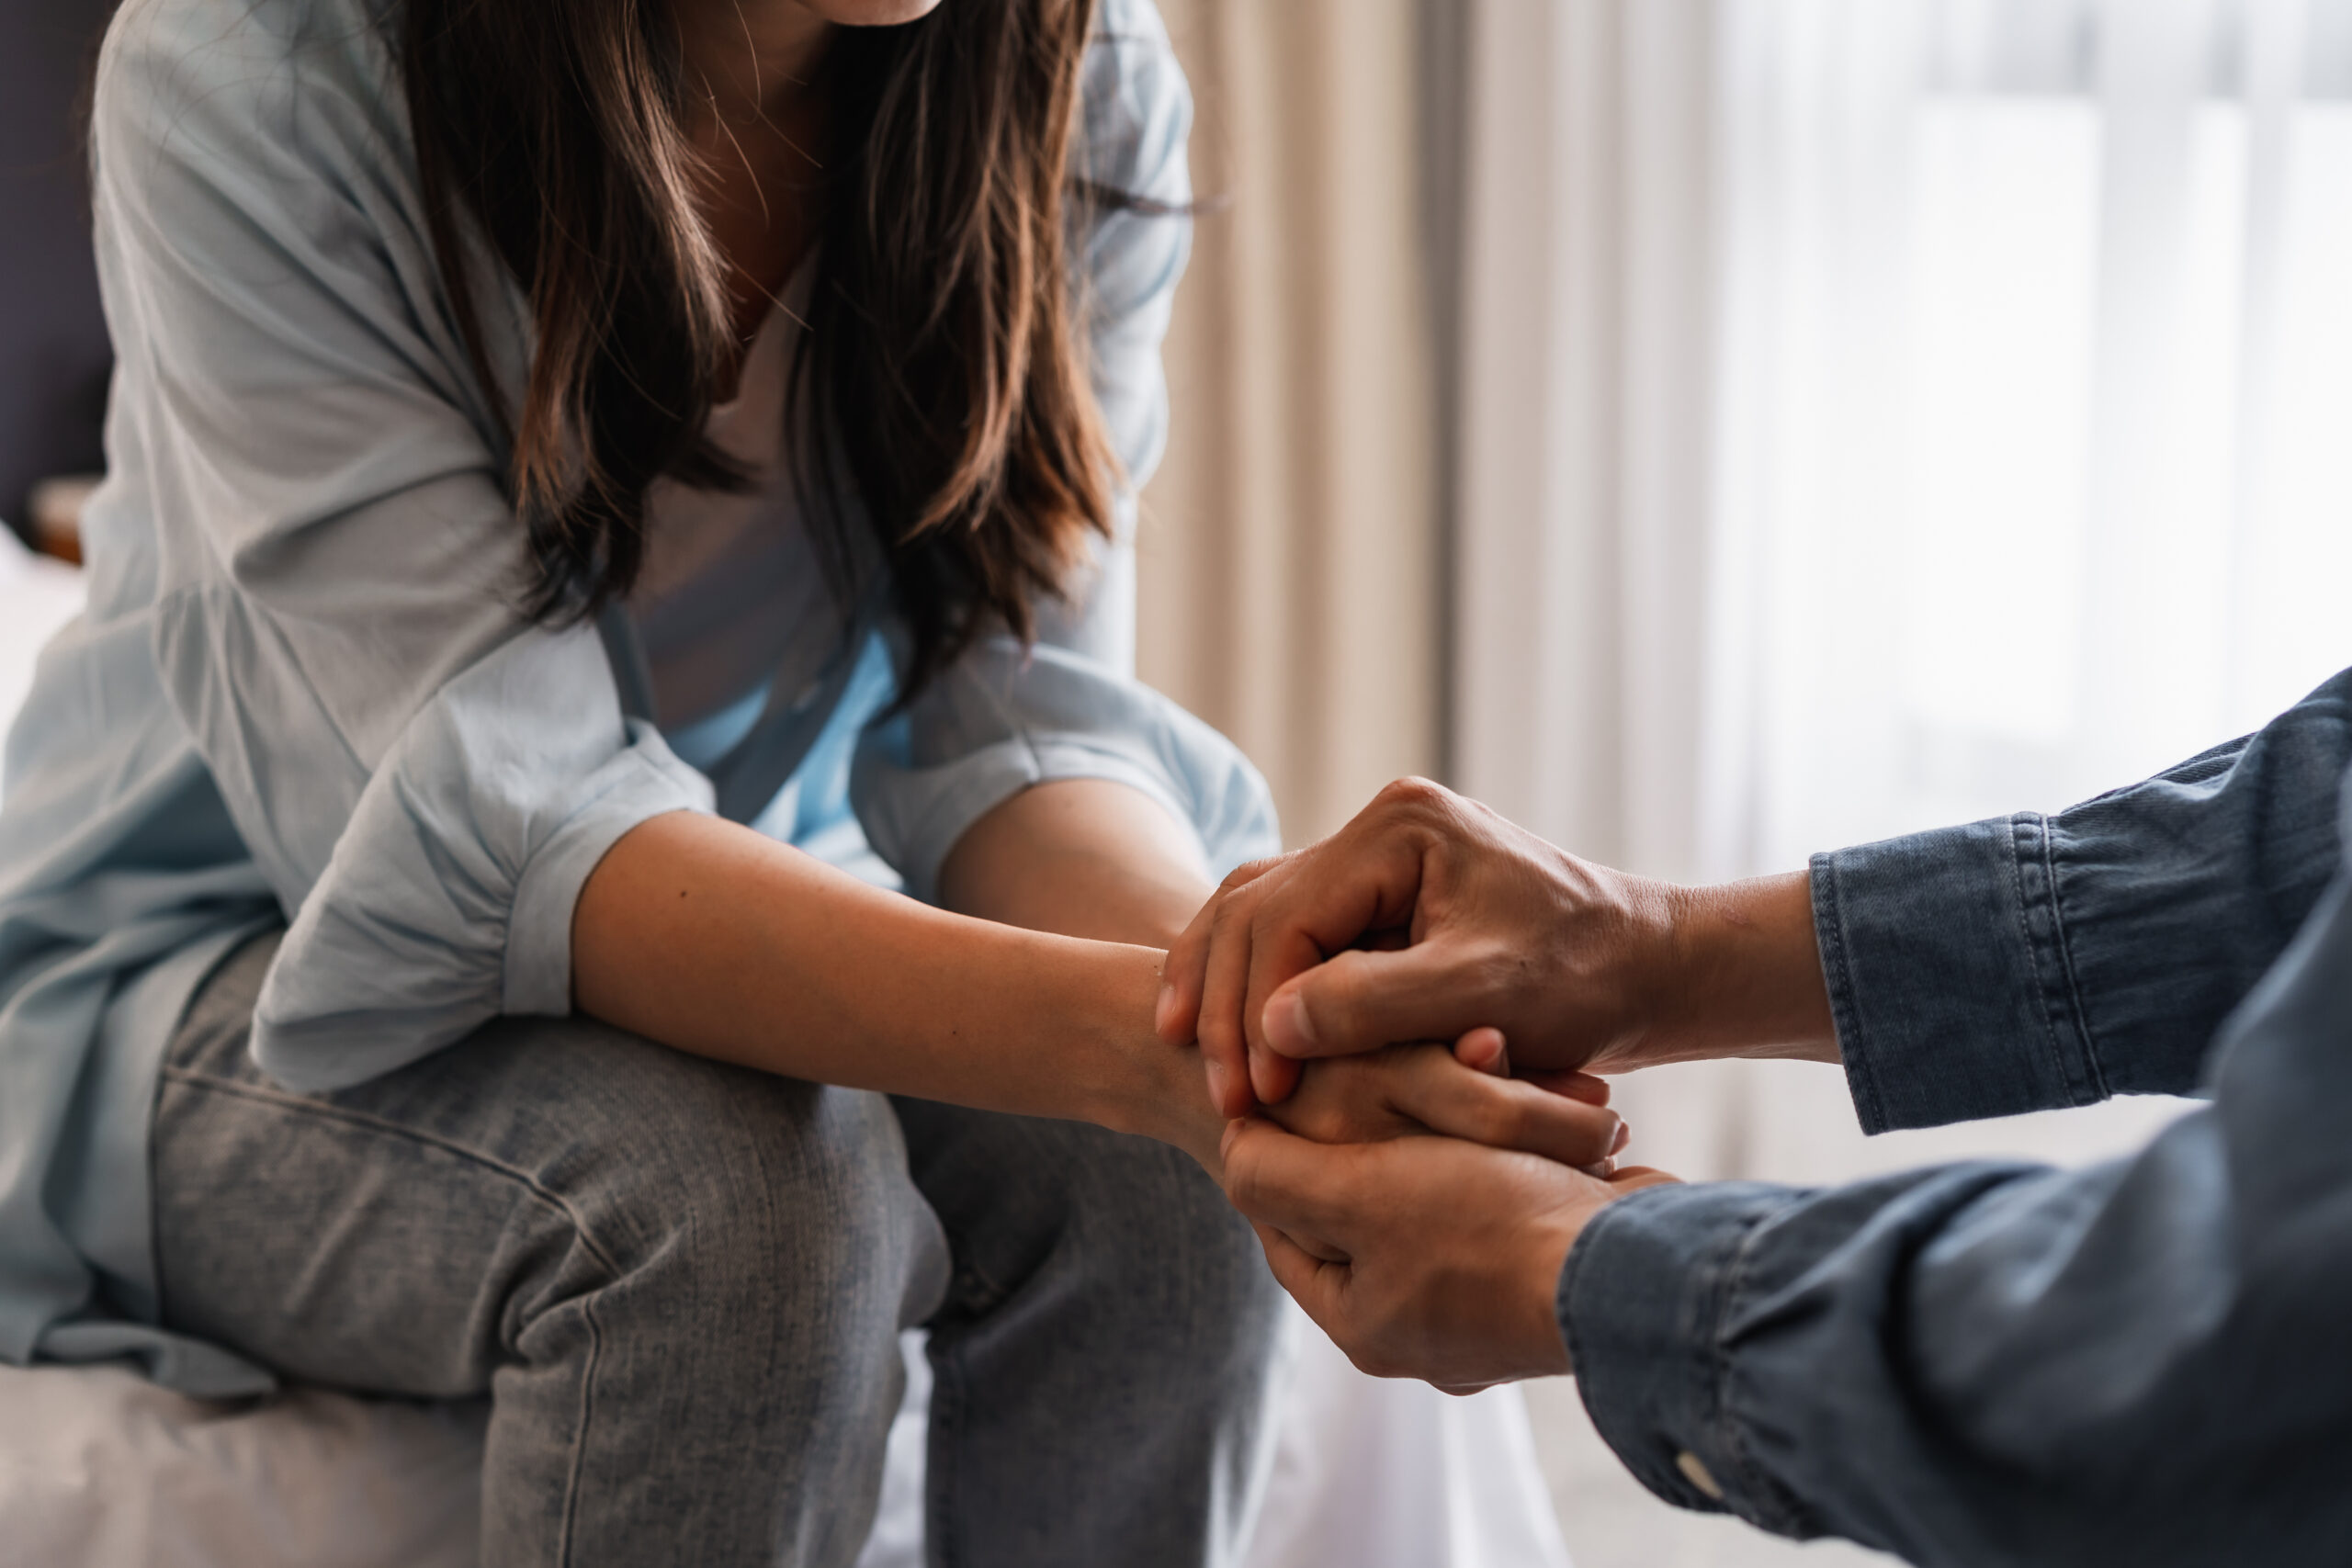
[[1107, 1353]]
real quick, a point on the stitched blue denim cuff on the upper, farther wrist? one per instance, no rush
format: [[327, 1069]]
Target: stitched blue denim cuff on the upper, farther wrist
[[1951, 977]]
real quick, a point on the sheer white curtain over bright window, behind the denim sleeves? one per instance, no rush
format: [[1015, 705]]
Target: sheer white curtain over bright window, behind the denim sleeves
[[1890, 413]]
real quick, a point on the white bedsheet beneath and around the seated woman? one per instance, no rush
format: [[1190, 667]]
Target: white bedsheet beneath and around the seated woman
[[105, 1470]]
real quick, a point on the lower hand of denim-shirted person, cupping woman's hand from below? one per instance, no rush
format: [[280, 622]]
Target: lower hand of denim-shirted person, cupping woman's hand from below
[[1422, 1257]]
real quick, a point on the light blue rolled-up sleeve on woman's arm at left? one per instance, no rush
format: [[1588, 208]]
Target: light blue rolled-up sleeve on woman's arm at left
[[420, 770]]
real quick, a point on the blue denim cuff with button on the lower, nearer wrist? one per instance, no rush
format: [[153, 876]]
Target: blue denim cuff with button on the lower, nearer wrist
[[1643, 1301]]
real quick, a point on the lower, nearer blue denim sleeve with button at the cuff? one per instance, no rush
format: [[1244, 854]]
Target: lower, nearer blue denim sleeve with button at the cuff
[[2005, 1365]]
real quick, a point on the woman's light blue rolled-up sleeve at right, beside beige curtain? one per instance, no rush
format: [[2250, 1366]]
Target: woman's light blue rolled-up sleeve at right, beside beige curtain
[[1008, 718]]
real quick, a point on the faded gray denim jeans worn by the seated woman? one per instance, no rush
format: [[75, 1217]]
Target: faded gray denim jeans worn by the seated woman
[[681, 1287]]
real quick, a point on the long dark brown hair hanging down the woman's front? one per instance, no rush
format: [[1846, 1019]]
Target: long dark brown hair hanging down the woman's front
[[944, 359]]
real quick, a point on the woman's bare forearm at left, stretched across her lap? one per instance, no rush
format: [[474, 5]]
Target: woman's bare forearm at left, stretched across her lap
[[726, 944]]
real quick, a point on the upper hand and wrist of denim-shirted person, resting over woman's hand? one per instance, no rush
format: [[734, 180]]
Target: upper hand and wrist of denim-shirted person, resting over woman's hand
[[1431, 916]]
